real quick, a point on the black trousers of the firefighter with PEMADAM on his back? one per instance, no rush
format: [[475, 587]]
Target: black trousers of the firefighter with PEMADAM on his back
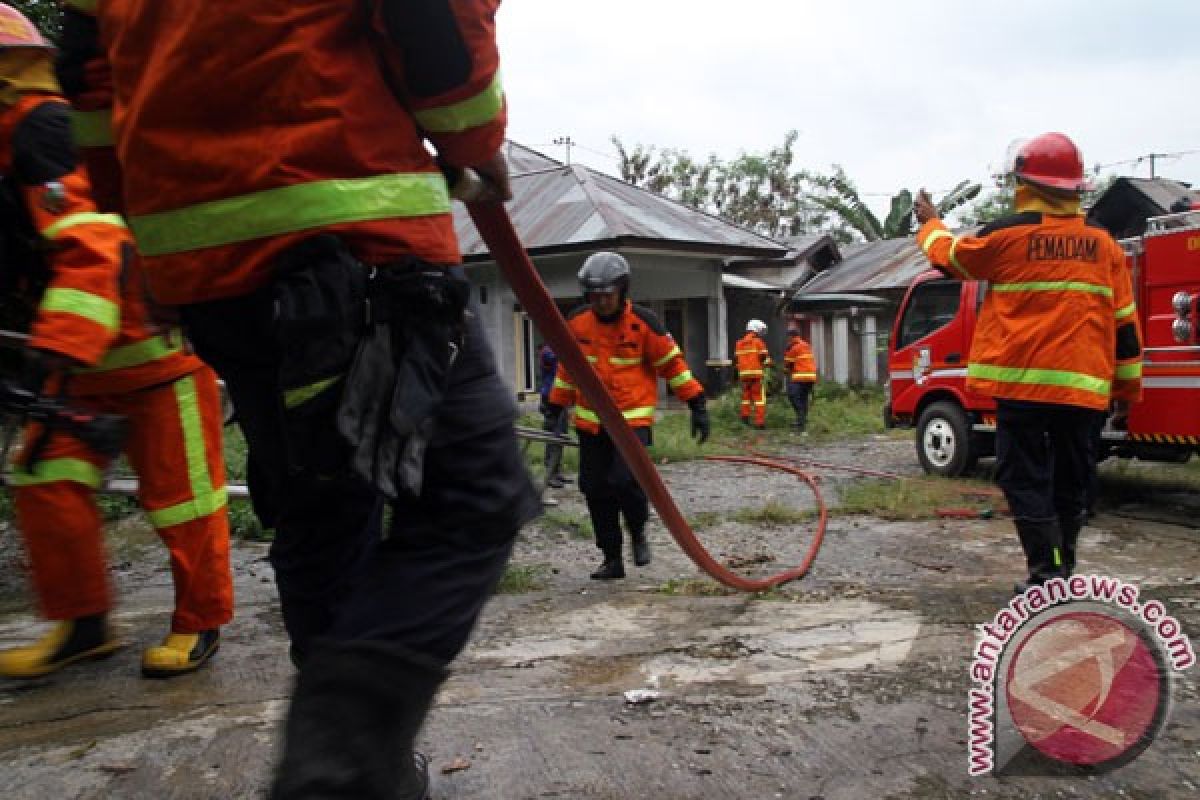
[[1045, 460]]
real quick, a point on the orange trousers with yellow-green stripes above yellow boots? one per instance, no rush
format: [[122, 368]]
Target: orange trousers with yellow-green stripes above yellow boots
[[176, 449]]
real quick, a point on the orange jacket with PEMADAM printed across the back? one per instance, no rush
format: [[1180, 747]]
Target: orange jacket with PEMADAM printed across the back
[[1059, 323]]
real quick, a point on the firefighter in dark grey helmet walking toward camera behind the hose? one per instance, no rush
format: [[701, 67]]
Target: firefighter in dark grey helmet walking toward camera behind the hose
[[631, 351]]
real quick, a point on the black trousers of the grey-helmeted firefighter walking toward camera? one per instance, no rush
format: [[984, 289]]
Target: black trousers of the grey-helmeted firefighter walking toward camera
[[611, 491]]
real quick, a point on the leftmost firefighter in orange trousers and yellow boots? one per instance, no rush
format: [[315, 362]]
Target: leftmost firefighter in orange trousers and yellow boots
[[91, 339]]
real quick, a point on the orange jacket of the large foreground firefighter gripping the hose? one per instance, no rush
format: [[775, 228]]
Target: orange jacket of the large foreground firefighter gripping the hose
[[243, 133]]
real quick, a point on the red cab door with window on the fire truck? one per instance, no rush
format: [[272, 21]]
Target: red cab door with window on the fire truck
[[929, 342]]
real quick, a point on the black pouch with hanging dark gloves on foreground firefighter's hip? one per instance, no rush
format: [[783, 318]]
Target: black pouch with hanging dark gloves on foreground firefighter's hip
[[417, 323]]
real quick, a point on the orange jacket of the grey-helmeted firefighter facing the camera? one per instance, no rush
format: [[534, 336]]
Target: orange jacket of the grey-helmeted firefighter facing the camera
[[629, 354]]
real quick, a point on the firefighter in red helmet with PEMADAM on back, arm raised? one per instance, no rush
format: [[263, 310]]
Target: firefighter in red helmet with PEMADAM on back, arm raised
[[1057, 342]]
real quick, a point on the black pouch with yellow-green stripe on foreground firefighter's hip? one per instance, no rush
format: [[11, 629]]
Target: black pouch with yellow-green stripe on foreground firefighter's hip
[[320, 302]]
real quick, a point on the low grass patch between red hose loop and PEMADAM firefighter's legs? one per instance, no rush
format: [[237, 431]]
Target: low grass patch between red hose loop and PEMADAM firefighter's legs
[[911, 498]]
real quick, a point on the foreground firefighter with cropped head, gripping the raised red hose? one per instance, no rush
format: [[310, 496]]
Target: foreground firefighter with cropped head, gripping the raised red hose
[[301, 224]]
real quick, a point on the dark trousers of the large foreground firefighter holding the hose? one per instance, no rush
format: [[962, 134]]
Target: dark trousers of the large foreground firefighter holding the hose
[[423, 585]]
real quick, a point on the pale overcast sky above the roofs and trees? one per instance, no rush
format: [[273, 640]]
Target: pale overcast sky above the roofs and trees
[[901, 94]]
